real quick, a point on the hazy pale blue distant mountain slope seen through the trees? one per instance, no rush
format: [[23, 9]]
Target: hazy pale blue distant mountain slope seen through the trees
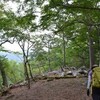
[[12, 56]]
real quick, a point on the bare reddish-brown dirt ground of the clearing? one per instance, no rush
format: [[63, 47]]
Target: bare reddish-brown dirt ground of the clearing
[[58, 89]]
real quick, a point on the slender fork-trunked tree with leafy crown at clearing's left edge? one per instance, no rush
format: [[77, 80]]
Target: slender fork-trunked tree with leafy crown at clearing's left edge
[[16, 29]]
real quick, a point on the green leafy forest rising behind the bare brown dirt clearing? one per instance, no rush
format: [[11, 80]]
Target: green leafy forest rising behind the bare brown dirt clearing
[[52, 35]]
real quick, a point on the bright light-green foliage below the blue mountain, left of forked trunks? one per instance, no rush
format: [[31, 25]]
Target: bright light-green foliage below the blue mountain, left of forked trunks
[[13, 70]]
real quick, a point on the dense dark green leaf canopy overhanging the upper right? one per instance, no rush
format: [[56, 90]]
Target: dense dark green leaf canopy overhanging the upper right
[[77, 19]]
